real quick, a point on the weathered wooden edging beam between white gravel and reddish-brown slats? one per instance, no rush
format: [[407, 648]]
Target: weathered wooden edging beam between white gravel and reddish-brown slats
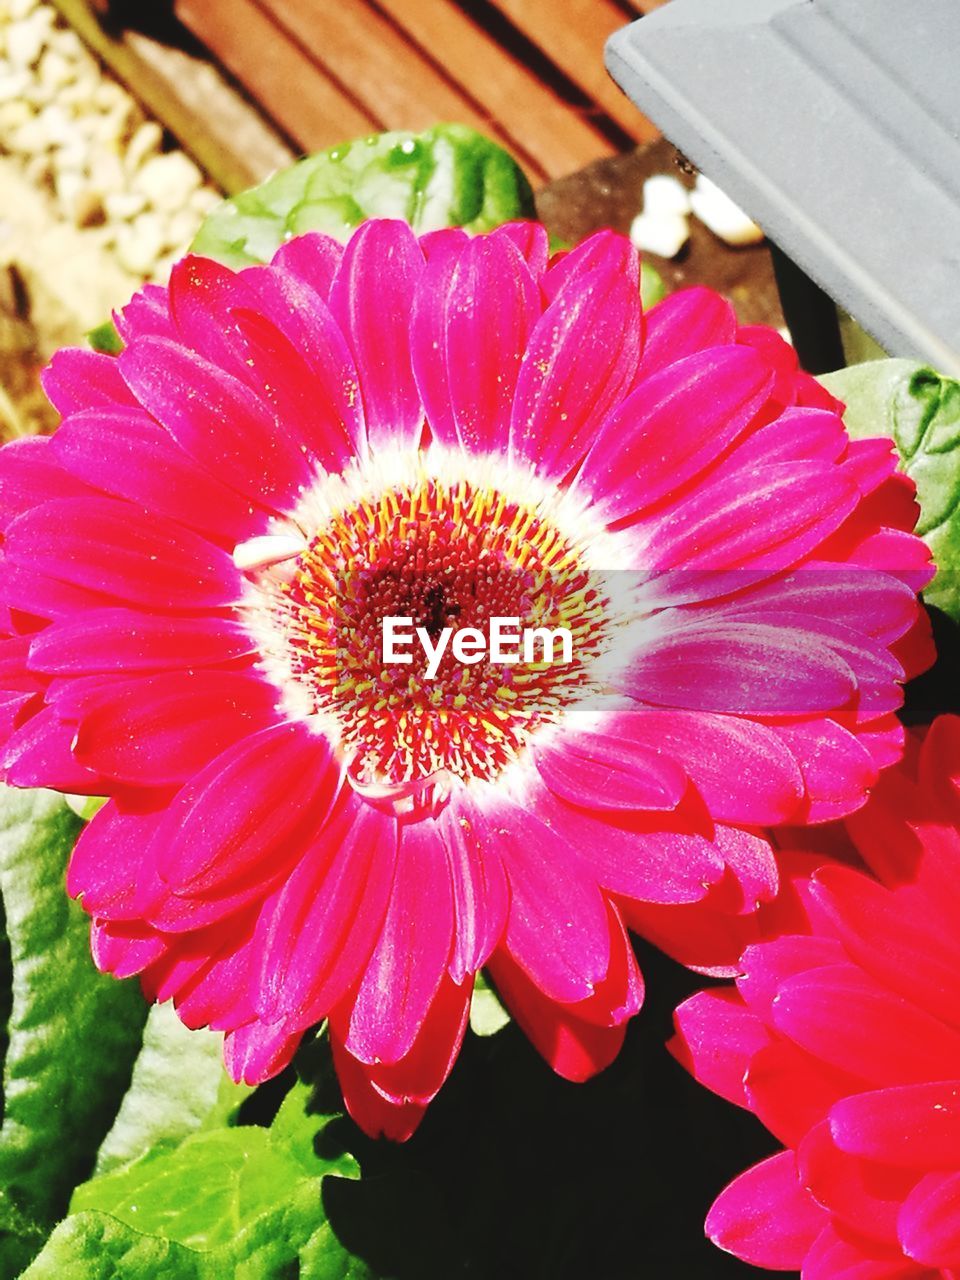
[[235, 164]]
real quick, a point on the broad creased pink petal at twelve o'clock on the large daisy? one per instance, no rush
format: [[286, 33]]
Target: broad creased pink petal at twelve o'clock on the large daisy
[[473, 316]]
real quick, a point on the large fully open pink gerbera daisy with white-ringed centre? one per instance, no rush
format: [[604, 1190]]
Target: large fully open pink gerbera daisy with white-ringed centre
[[199, 564]]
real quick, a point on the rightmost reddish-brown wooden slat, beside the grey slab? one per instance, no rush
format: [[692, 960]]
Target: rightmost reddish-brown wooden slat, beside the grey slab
[[573, 36]]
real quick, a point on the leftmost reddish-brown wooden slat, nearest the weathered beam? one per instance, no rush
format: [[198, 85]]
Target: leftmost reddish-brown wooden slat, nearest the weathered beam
[[307, 104]]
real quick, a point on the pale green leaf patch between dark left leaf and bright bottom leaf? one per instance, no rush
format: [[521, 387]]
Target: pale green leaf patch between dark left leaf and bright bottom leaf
[[179, 1086]]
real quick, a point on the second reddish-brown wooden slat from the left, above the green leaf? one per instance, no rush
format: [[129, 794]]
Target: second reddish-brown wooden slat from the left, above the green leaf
[[387, 76]]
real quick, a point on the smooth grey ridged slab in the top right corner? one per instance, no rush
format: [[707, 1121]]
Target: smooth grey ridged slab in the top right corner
[[836, 126]]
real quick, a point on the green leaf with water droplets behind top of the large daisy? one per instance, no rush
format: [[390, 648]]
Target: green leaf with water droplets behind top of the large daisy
[[447, 177]]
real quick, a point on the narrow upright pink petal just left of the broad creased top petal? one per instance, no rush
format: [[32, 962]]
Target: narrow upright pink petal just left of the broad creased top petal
[[372, 298]]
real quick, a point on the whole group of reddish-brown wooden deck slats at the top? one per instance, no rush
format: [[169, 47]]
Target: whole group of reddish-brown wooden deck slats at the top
[[528, 72]]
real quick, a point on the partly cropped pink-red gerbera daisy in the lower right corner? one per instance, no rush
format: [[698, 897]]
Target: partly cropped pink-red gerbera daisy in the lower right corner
[[844, 1039]]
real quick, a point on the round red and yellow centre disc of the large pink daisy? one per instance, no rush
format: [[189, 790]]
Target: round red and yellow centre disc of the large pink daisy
[[446, 555]]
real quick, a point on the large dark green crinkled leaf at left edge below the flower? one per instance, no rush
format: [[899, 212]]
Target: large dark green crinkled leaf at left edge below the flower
[[74, 1034]]
